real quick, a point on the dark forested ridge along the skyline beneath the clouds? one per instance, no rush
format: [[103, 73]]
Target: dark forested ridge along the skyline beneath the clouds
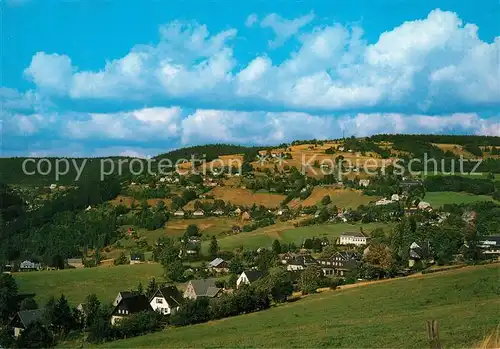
[[386, 145]]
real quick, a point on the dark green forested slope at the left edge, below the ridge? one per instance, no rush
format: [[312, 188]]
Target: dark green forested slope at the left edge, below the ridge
[[57, 229]]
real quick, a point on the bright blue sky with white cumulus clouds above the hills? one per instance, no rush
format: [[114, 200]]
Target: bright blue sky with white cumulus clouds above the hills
[[99, 78]]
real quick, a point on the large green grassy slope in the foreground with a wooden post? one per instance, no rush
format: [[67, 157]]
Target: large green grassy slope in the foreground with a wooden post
[[386, 315]]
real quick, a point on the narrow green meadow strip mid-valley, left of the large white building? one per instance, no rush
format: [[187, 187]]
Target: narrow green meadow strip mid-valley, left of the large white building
[[285, 232]]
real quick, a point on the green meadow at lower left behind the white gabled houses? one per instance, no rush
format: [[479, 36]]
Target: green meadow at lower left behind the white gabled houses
[[76, 284]]
